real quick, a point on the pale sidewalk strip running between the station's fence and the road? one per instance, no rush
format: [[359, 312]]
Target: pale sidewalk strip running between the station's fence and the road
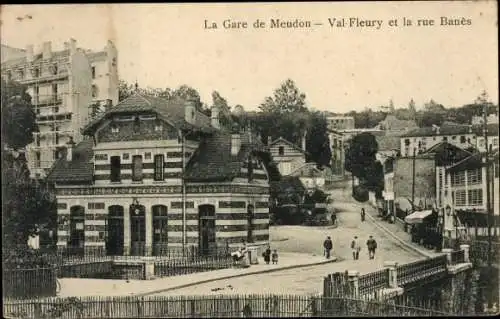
[[78, 287]]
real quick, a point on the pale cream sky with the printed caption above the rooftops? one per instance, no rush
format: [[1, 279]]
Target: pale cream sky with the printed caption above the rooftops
[[338, 68]]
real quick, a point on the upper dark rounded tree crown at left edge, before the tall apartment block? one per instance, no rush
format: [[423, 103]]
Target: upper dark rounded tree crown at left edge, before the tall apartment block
[[18, 118]]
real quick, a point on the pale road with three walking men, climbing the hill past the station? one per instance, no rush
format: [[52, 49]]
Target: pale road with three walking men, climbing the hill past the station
[[309, 240]]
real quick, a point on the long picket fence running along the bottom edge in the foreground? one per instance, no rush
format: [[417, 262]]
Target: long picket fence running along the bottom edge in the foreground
[[206, 306]]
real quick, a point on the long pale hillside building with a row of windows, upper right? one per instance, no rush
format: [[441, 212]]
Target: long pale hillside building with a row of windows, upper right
[[462, 136]]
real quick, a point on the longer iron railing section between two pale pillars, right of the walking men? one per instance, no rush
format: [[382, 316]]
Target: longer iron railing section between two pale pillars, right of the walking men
[[420, 269]]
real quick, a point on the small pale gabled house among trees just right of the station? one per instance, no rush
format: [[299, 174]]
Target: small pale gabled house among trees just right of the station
[[287, 155]]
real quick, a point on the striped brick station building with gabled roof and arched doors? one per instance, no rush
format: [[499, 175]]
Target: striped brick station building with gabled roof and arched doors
[[157, 175]]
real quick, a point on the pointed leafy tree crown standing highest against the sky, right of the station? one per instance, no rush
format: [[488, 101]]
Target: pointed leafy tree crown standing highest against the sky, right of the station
[[287, 98]]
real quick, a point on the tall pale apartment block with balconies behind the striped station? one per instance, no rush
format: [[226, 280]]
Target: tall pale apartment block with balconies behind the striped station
[[62, 90]]
